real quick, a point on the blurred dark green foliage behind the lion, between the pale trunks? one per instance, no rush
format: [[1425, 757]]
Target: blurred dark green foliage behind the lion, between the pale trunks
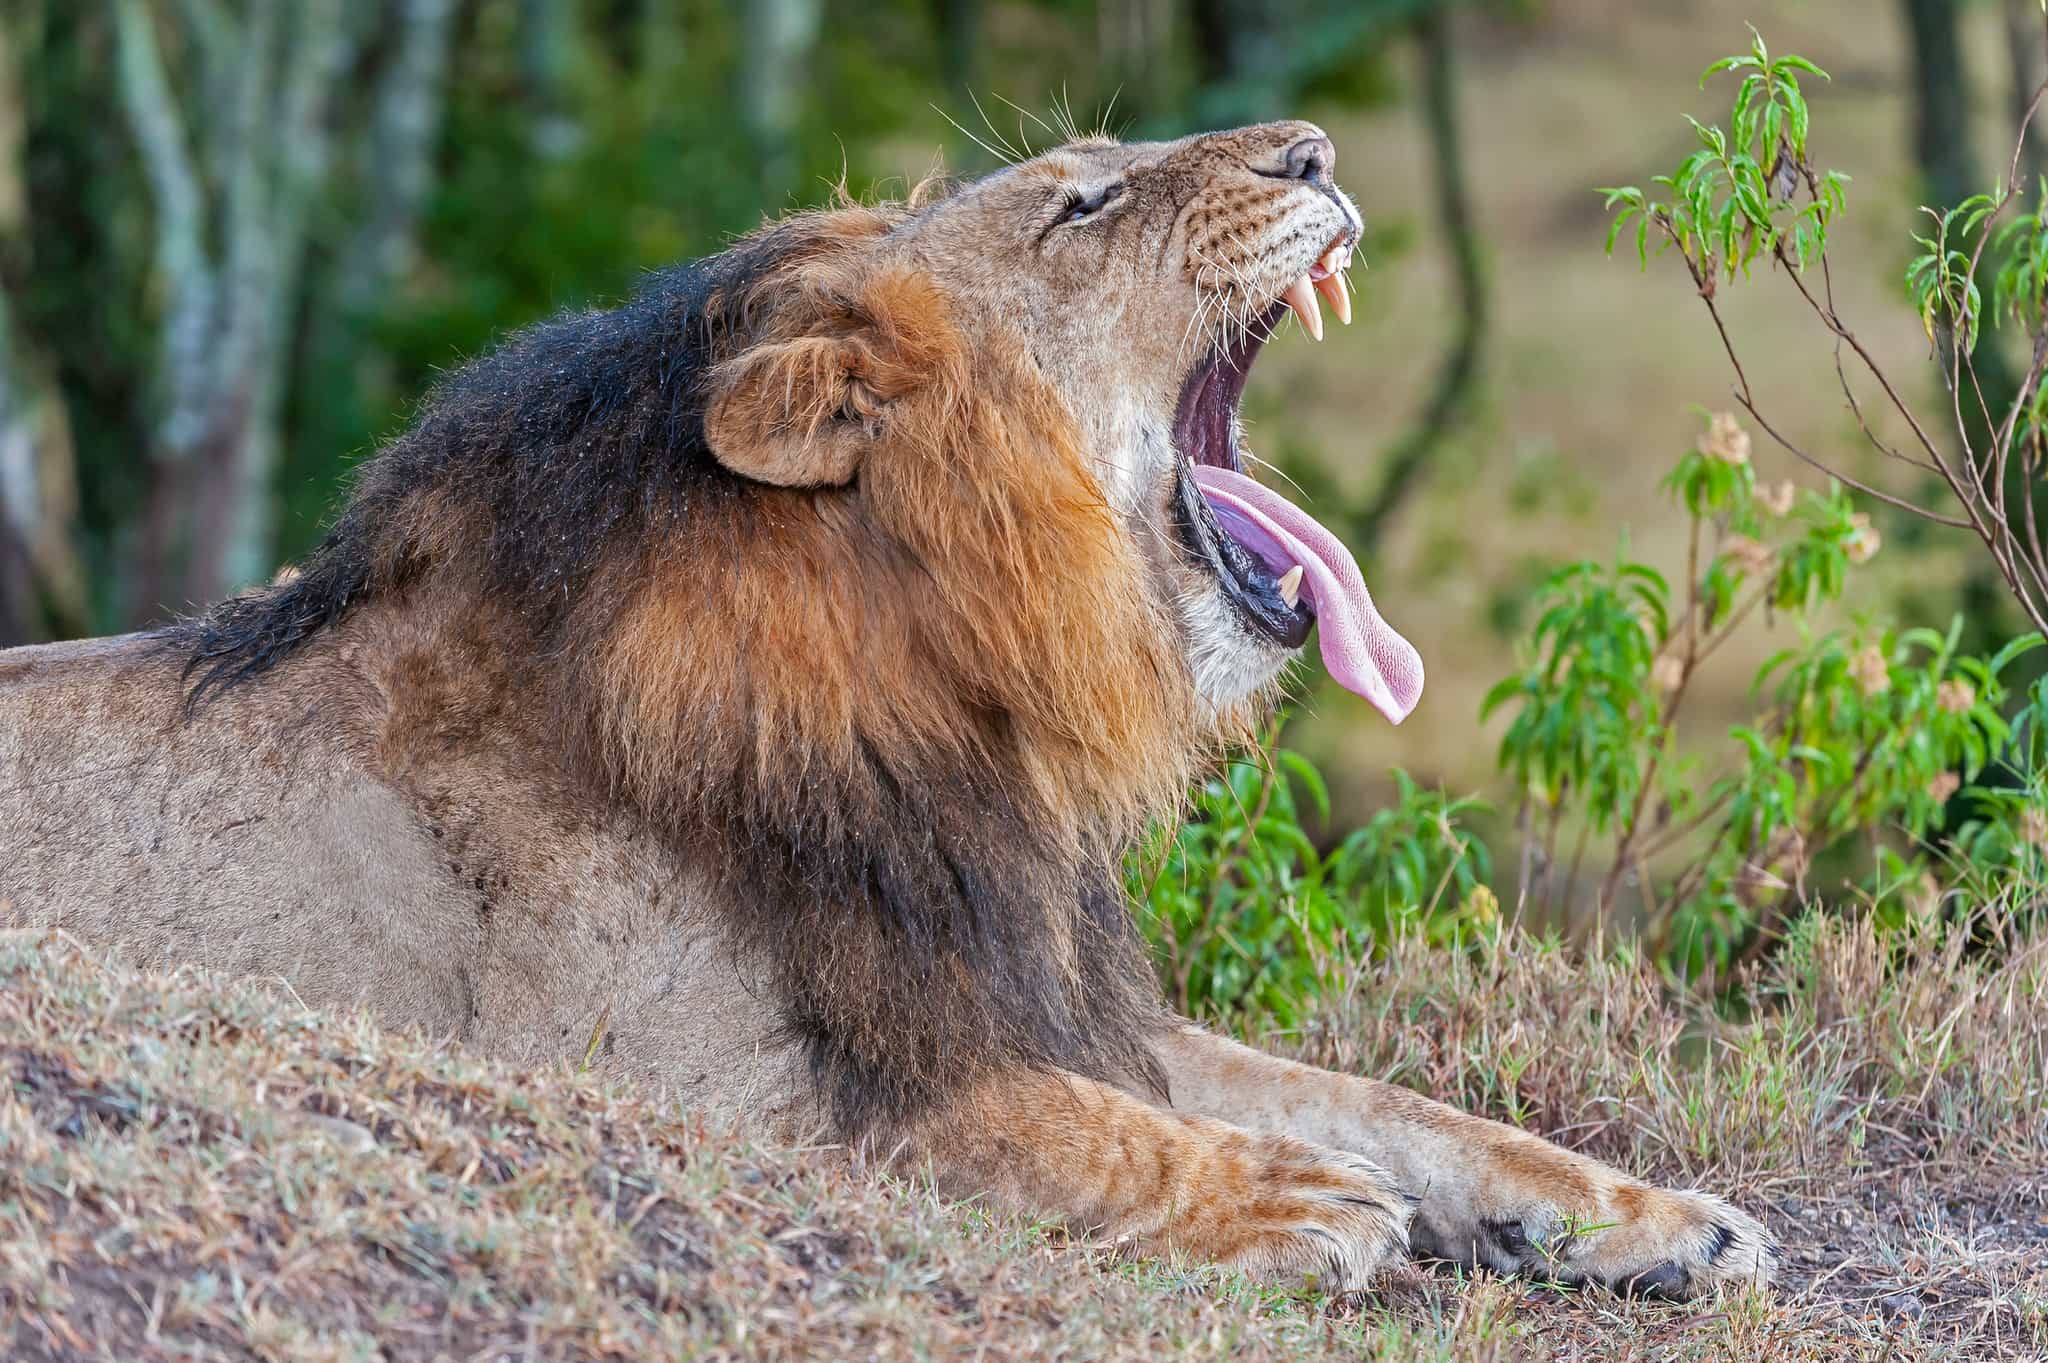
[[585, 142]]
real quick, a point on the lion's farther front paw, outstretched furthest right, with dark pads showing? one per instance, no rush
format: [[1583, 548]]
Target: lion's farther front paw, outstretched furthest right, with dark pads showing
[[1644, 1241]]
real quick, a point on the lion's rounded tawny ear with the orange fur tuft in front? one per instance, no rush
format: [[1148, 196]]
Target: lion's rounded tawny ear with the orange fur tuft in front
[[806, 410]]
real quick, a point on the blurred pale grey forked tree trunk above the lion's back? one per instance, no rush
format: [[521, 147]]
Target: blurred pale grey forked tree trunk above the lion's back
[[232, 124]]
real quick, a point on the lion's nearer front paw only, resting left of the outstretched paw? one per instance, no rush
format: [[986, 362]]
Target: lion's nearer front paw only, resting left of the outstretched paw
[[1287, 1211]]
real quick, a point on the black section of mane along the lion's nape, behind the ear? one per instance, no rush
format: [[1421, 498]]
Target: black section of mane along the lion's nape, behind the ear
[[560, 435]]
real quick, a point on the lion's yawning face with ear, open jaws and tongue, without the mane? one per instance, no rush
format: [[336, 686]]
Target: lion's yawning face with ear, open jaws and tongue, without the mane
[[1138, 283]]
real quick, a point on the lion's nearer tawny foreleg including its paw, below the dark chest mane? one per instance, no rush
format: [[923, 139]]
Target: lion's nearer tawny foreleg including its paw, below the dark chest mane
[[1109, 1163]]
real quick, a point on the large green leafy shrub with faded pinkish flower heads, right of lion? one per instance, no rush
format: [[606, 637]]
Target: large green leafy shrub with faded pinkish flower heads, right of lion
[[1861, 736]]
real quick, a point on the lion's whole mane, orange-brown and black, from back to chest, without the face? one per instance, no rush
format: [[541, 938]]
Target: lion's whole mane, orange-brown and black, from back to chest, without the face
[[910, 726]]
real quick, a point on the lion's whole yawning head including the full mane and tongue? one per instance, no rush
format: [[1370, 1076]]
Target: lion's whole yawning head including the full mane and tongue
[[898, 566]]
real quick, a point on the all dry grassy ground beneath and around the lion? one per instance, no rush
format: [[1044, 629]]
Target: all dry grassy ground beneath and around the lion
[[196, 1168]]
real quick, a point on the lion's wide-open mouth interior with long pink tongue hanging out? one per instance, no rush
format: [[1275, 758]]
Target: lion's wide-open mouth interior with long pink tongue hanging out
[[1279, 566]]
